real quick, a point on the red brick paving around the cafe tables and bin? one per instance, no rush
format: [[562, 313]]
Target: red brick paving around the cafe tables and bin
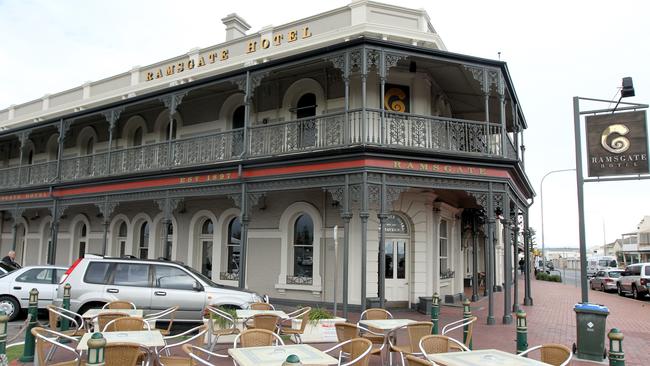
[[550, 320]]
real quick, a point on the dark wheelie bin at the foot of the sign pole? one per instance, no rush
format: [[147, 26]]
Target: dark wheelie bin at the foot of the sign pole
[[591, 325]]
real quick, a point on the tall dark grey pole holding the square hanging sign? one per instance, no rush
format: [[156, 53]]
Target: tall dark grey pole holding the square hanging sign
[[581, 203]]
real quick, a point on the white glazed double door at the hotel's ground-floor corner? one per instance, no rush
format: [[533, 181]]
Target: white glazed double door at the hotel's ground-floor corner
[[396, 270]]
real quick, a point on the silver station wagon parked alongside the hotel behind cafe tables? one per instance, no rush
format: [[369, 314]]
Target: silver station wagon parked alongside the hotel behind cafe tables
[[152, 285]]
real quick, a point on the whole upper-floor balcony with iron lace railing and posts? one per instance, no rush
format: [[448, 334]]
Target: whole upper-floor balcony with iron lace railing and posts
[[325, 102]]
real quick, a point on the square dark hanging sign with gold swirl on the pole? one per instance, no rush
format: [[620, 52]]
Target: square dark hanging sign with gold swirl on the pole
[[617, 144]]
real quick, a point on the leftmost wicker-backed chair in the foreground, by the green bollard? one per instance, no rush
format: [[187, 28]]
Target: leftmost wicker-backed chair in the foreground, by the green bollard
[[44, 337]]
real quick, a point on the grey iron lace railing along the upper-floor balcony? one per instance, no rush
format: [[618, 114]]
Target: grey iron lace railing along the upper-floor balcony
[[372, 127]]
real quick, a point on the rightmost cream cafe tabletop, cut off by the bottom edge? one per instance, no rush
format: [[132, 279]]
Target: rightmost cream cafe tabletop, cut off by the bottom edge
[[485, 357]]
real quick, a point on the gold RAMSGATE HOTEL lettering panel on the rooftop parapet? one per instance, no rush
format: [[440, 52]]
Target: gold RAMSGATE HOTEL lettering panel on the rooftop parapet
[[223, 54]]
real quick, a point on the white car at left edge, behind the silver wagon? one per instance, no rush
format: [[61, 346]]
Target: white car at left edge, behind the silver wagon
[[15, 287]]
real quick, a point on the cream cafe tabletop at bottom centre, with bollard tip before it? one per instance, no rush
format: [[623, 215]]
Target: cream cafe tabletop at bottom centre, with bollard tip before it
[[276, 355]]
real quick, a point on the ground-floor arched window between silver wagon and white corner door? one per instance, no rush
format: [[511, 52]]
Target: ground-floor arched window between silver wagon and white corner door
[[303, 247]]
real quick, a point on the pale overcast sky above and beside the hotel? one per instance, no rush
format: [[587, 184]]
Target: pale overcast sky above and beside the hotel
[[555, 50]]
